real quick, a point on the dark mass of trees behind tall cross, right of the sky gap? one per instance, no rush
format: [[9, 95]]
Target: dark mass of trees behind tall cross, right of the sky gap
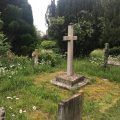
[[90, 18]]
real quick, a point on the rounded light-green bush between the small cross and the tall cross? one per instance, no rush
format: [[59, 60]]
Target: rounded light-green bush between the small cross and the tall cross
[[49, 53]]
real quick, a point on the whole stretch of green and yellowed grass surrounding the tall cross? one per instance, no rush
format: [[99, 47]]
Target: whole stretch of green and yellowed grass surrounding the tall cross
[[29, 95]]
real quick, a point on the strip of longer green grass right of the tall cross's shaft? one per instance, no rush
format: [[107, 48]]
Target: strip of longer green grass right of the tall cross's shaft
[[84, 66]]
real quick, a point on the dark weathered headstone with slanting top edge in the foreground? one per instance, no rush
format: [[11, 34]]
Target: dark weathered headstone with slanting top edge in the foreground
[[71, 109]]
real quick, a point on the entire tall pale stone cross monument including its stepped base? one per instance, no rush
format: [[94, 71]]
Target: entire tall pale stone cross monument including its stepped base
[[70, 80]]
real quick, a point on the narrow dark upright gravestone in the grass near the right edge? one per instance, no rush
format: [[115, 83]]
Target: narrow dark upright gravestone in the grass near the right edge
[[106, 55]]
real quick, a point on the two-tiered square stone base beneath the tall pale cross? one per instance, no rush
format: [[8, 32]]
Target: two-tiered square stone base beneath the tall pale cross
[[70, 82]]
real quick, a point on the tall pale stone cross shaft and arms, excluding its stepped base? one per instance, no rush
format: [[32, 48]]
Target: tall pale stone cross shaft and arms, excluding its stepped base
[[70, 39]]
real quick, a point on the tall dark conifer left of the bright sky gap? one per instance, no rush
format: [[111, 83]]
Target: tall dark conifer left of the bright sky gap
[[18, 25]]
